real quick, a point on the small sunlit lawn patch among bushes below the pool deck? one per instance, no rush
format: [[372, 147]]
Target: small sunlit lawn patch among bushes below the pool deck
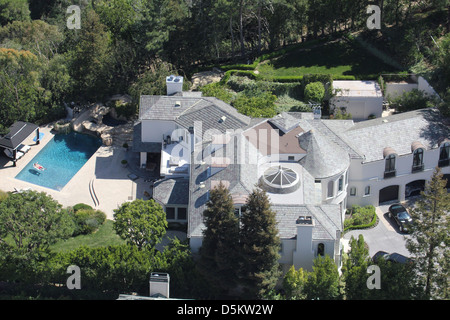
[[104, 236]]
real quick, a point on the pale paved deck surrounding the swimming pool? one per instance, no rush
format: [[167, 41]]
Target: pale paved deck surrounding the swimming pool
[[103, 171]]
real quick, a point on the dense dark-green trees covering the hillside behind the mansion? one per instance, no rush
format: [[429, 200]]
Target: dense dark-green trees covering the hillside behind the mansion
[[127, 46]]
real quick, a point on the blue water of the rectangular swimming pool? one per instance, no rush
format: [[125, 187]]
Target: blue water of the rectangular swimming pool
[[62, 157]]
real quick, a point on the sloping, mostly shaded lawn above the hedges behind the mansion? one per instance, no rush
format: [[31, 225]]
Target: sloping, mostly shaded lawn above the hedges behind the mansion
[[337, 58]]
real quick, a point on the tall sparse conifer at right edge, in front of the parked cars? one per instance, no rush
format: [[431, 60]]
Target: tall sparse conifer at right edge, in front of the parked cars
[[430, 237]]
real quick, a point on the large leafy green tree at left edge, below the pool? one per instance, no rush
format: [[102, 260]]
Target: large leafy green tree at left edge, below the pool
[[29, 223]]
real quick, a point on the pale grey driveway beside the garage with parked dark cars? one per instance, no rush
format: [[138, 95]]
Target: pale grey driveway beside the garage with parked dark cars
[[385, 236]]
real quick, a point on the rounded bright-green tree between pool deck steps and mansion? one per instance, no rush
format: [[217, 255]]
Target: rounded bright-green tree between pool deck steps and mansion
[[141, 222]]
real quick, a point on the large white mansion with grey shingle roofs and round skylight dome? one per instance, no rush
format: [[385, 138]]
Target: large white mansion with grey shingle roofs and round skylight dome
[[312, 169]]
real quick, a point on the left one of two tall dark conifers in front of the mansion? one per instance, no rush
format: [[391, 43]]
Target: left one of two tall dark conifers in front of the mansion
[[219, 251]]
